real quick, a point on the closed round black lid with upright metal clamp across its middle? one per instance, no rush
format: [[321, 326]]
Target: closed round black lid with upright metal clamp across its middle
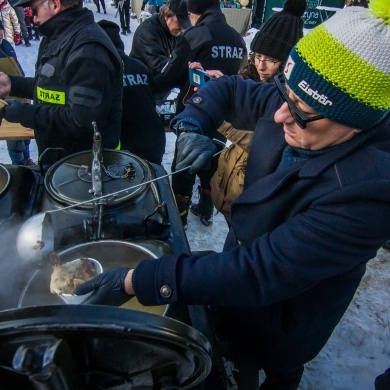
[[69, 181]]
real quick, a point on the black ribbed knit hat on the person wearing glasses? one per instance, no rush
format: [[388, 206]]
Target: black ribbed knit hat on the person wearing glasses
[[281, 32]]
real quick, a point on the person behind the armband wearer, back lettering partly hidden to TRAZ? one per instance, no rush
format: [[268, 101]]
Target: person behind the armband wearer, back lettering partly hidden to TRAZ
[[143, 130]]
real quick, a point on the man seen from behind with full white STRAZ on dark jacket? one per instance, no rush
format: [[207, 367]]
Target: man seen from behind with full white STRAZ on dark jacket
[[216, 45]]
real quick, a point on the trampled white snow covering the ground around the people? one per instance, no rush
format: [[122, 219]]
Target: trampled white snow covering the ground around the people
[[359, 348]]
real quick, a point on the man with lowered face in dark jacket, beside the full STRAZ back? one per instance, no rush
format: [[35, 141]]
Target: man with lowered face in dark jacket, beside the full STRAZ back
[[155, 38]]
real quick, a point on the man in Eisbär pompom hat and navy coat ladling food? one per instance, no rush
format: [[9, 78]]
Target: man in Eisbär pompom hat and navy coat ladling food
[[315, 206]]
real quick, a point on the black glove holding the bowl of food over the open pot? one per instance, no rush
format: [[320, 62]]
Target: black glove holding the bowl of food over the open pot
[[109, 288]]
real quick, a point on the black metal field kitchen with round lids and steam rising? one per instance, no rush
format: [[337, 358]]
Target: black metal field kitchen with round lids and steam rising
[[119, 209]]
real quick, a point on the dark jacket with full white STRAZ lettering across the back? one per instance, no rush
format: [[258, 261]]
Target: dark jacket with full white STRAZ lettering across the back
[[212, 42]]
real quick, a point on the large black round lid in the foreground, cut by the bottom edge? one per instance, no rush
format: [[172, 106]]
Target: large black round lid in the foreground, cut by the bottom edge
[[92, 347]]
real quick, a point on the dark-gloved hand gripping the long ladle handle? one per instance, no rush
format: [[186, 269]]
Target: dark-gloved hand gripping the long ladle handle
[[195, 150]]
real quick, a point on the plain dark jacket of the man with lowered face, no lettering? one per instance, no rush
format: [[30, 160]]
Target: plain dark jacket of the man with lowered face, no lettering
[[153, 43]]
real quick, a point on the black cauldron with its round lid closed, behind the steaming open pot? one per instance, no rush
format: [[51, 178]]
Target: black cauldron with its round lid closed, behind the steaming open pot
[[128, 206]]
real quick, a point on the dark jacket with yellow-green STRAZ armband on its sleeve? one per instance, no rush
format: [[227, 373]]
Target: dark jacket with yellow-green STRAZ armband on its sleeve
[[78, 80]]
